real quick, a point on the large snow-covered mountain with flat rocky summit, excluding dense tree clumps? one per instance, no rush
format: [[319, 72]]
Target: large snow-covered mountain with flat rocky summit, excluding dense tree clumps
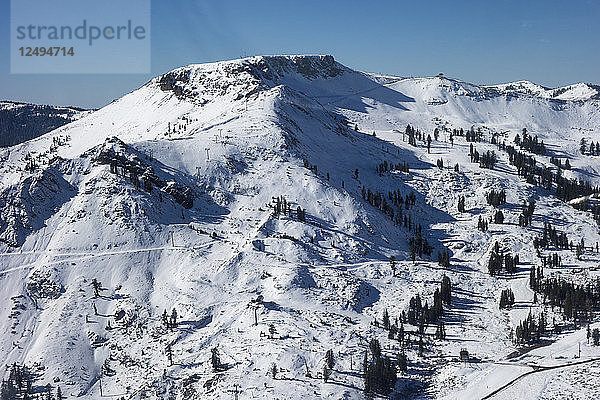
[[260, 199]]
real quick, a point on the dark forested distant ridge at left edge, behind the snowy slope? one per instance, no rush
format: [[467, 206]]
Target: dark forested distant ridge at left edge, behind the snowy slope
[[20, 122]]
